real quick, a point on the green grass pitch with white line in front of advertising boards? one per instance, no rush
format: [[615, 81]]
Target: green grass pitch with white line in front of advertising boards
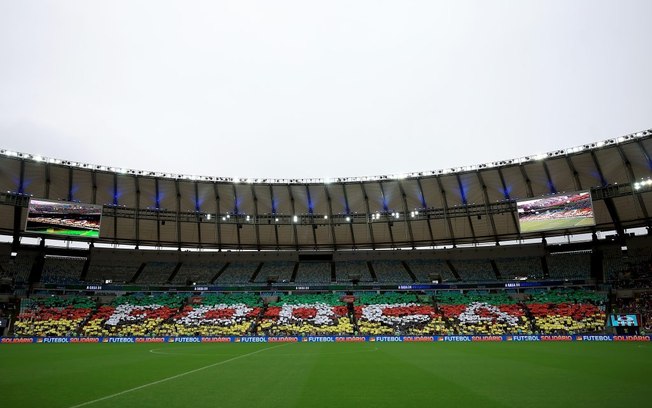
[[326, 375]]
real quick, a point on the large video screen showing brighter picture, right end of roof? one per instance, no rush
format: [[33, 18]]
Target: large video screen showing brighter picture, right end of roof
[[560, 211]]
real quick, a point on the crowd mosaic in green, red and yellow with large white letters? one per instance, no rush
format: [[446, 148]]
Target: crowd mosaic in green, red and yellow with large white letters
[[364, 313]]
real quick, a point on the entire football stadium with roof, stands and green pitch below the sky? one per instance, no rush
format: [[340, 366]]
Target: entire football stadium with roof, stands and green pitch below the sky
[[377, 291]]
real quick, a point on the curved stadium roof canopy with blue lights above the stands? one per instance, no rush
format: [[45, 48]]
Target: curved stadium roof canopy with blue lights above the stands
[[471, 204]]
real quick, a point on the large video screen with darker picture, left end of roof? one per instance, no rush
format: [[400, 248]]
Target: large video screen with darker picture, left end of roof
[[63, 218]]
